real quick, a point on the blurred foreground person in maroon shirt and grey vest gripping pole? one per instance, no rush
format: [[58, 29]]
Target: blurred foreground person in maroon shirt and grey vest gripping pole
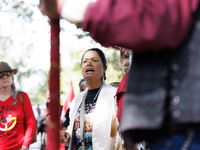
[[162, 92]]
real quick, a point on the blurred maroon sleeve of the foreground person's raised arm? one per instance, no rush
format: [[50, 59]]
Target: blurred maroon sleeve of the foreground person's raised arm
[[140, 25]]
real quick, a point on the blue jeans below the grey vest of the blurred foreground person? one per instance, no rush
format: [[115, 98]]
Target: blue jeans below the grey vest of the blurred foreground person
[[175, 142]]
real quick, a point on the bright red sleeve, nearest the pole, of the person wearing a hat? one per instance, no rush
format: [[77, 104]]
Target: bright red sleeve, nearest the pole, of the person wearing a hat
[[30, 121]]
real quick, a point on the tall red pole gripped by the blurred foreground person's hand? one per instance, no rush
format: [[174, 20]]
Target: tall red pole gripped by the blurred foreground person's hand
[[54, 86]]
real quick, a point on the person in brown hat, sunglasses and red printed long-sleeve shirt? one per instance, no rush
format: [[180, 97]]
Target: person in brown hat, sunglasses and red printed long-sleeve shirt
[[17, 121]]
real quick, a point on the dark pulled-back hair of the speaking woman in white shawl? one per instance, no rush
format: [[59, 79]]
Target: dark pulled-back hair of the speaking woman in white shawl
[[101, 55]]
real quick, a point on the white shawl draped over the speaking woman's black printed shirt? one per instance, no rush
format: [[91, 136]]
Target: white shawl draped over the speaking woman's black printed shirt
[[103, 112]]
